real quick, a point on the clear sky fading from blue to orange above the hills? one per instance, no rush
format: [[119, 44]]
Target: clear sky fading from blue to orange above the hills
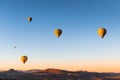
[[78, 48]]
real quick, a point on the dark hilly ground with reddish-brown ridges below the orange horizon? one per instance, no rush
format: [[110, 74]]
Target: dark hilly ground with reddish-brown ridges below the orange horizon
[[56, 74]]
